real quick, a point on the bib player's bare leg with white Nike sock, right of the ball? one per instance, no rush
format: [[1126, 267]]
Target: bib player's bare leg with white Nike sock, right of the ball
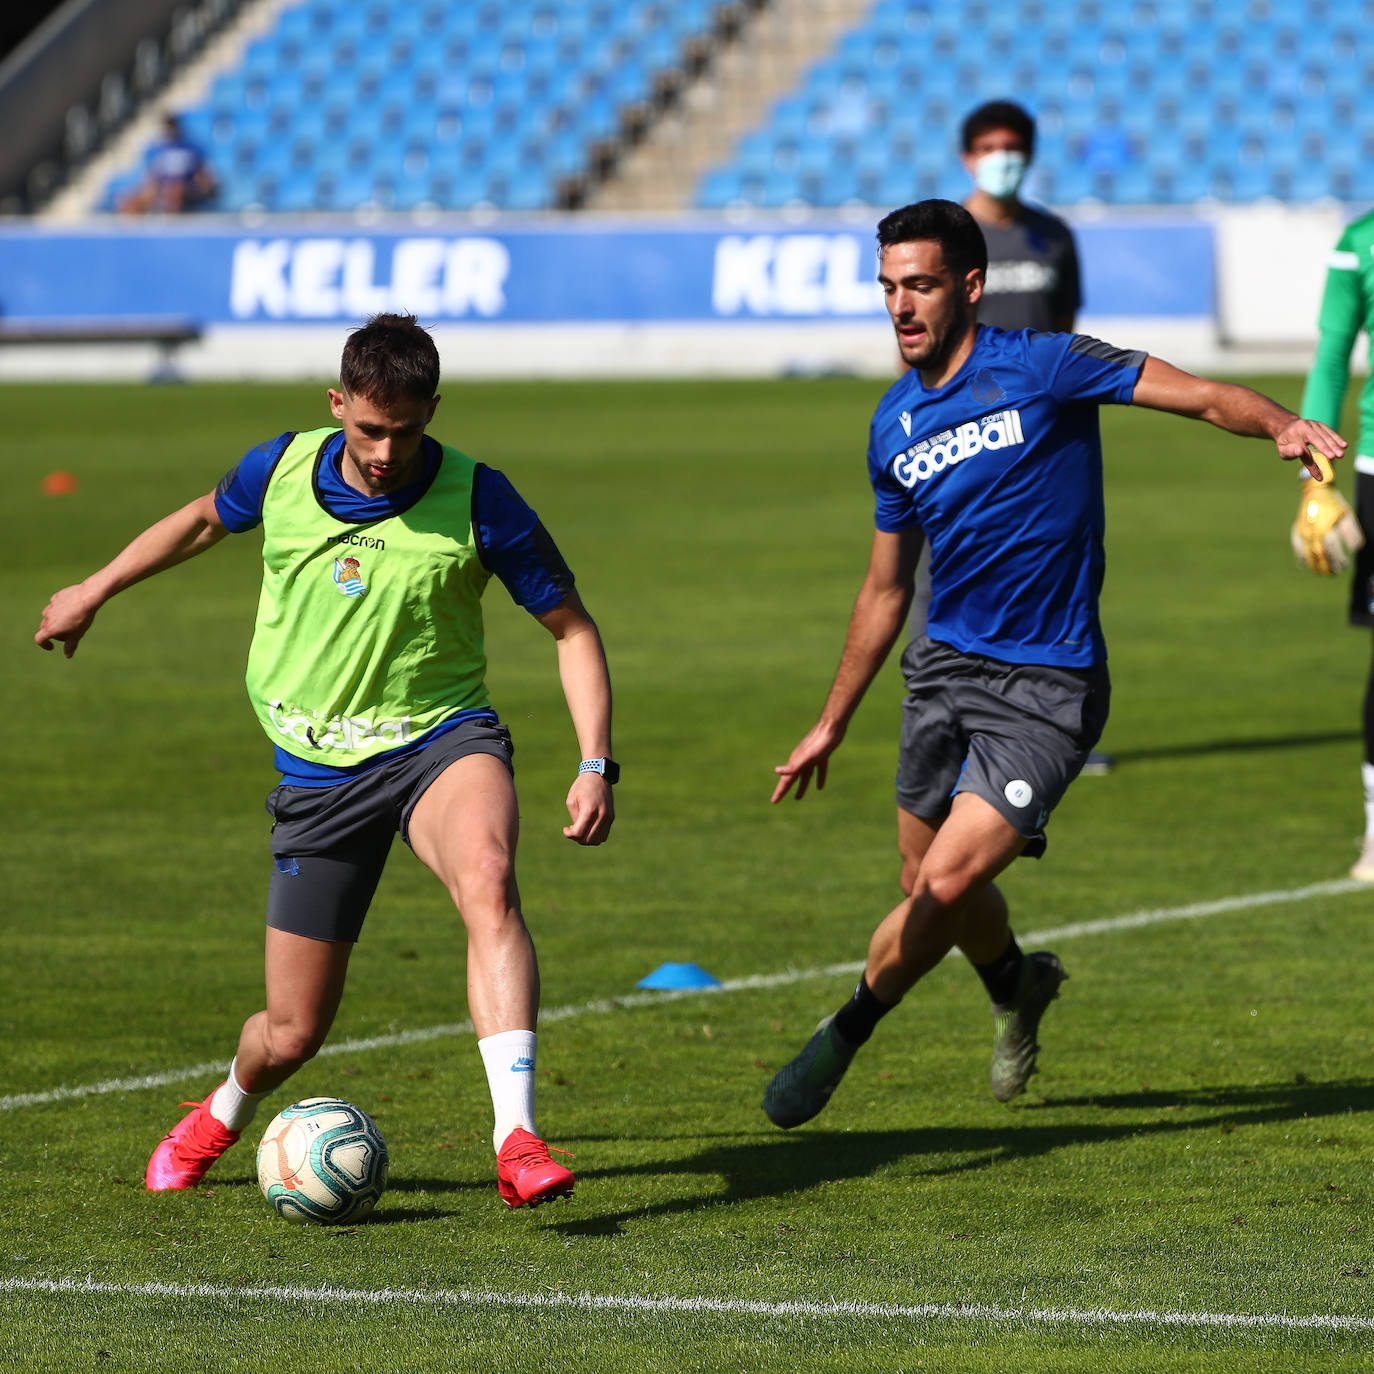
[[465, 829]]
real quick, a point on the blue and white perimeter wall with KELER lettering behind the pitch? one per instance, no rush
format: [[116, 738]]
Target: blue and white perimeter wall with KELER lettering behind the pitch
[[574, 297]]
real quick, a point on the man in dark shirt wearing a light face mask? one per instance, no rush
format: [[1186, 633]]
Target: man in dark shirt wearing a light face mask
[[1033, 262]]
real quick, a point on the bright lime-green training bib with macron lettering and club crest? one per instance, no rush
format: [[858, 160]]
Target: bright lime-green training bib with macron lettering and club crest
[[368, 634]]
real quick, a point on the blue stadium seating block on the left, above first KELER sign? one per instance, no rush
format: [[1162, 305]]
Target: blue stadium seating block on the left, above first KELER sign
[[399, 105]]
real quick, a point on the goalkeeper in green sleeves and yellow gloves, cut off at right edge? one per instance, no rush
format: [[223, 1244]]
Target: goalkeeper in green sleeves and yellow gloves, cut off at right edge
[[1328, 537]]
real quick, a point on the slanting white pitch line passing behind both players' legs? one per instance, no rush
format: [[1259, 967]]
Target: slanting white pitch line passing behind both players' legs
[[604, 1006]]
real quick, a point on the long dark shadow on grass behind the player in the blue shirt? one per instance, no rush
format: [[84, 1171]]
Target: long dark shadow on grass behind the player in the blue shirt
[[780, 1164]]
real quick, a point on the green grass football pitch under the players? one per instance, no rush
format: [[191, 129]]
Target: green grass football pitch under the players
[[1199, 1140]]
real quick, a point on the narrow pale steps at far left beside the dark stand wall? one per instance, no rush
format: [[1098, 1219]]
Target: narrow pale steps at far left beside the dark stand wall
[[83, 196]]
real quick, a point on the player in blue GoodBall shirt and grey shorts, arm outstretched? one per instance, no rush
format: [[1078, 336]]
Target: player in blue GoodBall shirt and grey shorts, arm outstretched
[[990, 449]]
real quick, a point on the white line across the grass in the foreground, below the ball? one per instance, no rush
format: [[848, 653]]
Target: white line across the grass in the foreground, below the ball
[[708, 1306]]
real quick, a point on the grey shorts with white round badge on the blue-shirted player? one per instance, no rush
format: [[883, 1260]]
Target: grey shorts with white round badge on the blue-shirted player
[[1013, 734]]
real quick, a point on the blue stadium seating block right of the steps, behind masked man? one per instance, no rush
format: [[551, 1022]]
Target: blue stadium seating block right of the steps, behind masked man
[[1138, 102]]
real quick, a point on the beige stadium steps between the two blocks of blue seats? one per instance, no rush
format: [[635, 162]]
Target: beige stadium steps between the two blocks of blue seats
[[733, 94]]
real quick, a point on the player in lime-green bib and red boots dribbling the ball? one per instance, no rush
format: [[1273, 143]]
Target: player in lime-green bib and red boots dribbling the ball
[[368, 675]]
